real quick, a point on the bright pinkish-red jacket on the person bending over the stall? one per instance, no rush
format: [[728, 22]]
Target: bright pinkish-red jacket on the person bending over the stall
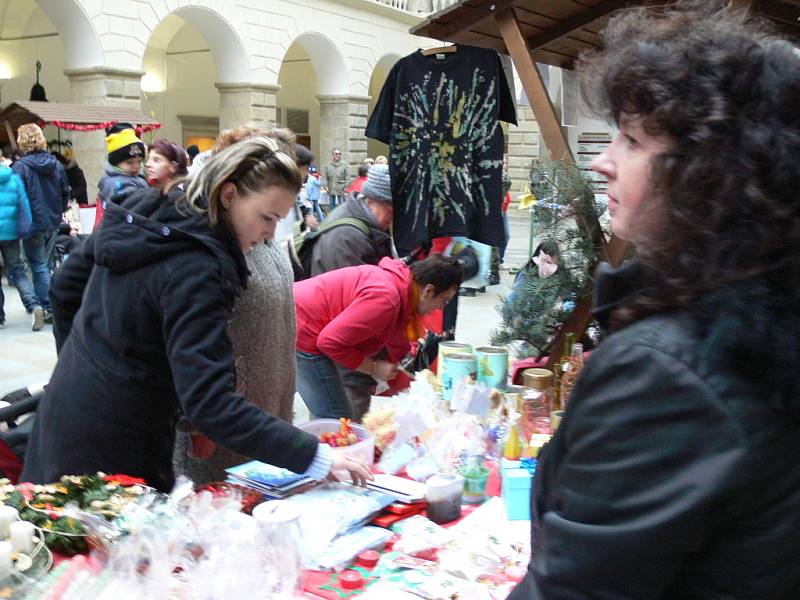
[[352, 313]]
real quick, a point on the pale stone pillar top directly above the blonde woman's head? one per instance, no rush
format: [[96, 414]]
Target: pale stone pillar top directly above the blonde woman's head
[[243, 102]]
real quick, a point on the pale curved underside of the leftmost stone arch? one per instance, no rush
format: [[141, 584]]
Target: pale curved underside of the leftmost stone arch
[[77, 32]]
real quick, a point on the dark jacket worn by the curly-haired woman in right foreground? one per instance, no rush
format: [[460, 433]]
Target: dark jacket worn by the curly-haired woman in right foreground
[[674, 473]]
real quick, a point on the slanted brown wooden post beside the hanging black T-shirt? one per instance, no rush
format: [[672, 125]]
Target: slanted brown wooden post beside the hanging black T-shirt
[[549, 124]]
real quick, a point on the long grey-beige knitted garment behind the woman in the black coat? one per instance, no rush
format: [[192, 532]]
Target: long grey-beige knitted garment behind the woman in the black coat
[[262, 332]]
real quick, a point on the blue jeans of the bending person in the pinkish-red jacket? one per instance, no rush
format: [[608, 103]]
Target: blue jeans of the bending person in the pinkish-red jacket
[[321, 387]]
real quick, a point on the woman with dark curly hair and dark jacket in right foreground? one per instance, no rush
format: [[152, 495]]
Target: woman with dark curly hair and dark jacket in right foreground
[[674, 473]]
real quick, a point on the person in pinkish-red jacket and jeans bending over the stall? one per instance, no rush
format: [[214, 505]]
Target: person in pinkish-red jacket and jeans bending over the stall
[[347, 316]]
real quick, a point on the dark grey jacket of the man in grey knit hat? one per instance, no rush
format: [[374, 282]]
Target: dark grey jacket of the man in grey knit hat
[[347, 246]]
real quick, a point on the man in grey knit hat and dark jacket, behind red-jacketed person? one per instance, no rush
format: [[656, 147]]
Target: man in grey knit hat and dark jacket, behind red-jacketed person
[[349, 246]]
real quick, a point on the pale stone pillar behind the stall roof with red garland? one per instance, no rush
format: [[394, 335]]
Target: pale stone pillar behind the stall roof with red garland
[[100, 86]]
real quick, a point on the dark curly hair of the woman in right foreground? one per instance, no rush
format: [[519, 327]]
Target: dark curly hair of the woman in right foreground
[[724, 90]]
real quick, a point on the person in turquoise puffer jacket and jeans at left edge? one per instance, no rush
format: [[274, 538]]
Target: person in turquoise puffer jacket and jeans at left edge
[[15, 212]]
